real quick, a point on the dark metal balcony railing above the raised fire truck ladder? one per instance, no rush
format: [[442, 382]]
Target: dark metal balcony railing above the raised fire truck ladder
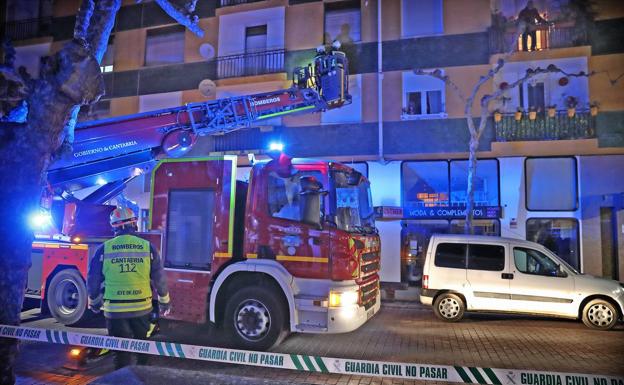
[[250, 64]]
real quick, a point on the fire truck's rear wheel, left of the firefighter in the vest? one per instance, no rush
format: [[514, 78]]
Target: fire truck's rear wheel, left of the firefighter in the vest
[[67, 297]]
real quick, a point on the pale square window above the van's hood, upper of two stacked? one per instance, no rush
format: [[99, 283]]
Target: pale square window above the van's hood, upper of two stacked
[[551, 184]]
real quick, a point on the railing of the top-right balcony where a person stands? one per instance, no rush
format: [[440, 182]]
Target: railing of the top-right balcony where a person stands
[[560, 35]]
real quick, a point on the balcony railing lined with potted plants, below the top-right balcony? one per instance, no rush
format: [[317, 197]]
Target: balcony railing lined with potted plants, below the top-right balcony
[[559, 127]]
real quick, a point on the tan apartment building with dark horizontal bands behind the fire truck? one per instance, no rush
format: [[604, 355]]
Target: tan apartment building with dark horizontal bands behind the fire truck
[[552, 172]]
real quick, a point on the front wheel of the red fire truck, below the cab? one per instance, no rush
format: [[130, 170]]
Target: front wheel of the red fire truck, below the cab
[[255, 318]]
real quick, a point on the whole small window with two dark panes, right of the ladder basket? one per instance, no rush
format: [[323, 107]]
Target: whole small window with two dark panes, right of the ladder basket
[[423, 96]]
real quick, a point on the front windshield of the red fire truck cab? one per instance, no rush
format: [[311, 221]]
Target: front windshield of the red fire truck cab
[[351, 202]]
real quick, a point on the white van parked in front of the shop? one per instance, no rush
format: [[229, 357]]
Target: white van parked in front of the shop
[[482, 273]]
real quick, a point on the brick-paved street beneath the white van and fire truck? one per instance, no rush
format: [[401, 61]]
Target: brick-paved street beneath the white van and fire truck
[[409, 332]]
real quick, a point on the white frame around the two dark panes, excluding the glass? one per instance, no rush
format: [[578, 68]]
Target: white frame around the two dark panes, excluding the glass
[[410, 77]]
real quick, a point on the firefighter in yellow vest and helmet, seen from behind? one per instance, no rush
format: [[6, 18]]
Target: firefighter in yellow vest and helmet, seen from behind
[[120, 279]]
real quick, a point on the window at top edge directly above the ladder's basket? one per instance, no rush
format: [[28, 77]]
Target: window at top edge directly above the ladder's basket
[[342, 22]]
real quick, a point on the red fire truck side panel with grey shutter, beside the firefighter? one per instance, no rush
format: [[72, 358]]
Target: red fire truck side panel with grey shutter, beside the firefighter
[[192, 206]]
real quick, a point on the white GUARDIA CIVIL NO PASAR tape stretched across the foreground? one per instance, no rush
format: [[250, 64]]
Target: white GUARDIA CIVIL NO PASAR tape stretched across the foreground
[[306, 363]]
